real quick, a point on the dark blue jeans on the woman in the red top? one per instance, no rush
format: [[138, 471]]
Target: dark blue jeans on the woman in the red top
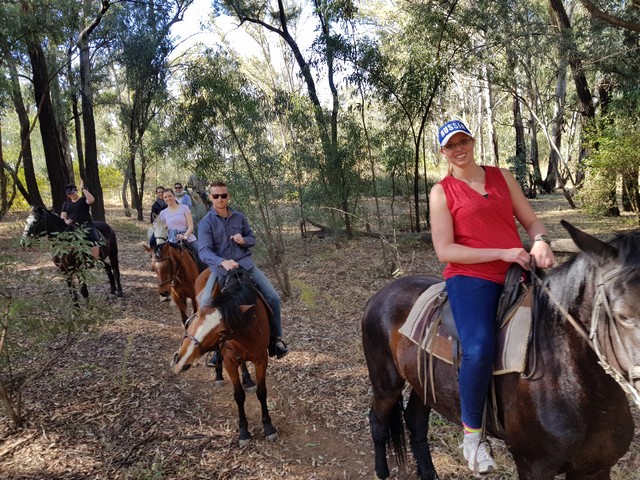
[[473, 303]]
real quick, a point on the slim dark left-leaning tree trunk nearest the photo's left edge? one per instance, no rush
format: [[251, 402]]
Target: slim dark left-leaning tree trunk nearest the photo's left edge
[[26, 154]]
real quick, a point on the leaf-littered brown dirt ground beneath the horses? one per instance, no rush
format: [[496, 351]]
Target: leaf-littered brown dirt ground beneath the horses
[[112, 409]]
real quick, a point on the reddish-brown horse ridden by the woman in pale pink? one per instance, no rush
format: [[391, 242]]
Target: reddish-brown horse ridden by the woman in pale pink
[[176, 270]]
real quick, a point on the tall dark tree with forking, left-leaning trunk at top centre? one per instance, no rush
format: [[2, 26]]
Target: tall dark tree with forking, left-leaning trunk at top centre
[[276, 18]]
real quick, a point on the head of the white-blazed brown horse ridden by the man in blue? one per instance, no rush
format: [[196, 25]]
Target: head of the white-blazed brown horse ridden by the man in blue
[[215, 323]]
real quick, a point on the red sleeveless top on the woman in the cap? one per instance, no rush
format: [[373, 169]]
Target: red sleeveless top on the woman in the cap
[[481, 222]]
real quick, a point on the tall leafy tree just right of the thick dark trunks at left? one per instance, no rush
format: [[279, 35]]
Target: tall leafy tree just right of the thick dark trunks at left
[[143, 46]]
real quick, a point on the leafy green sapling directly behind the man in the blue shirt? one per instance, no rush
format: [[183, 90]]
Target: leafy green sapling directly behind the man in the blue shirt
[[226, 123]]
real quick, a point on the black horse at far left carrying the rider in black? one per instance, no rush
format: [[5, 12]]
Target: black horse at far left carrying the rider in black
[[45, 222]]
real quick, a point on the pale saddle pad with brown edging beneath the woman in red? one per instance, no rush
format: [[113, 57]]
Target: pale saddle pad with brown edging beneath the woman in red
[[424, 329]]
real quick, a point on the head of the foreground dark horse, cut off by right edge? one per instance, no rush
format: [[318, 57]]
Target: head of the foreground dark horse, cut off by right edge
[[615, 321]]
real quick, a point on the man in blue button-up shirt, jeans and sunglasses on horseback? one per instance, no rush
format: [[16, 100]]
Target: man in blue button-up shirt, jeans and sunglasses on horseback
[[225, 239]]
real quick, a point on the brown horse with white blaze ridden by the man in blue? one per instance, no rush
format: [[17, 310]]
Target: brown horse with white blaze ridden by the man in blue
[[236, 321]]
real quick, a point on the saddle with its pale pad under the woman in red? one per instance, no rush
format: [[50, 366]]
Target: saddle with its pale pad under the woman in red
[[430, 325]]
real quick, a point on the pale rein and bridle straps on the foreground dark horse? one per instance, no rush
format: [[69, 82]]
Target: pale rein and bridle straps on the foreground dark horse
[[600, 300]]
